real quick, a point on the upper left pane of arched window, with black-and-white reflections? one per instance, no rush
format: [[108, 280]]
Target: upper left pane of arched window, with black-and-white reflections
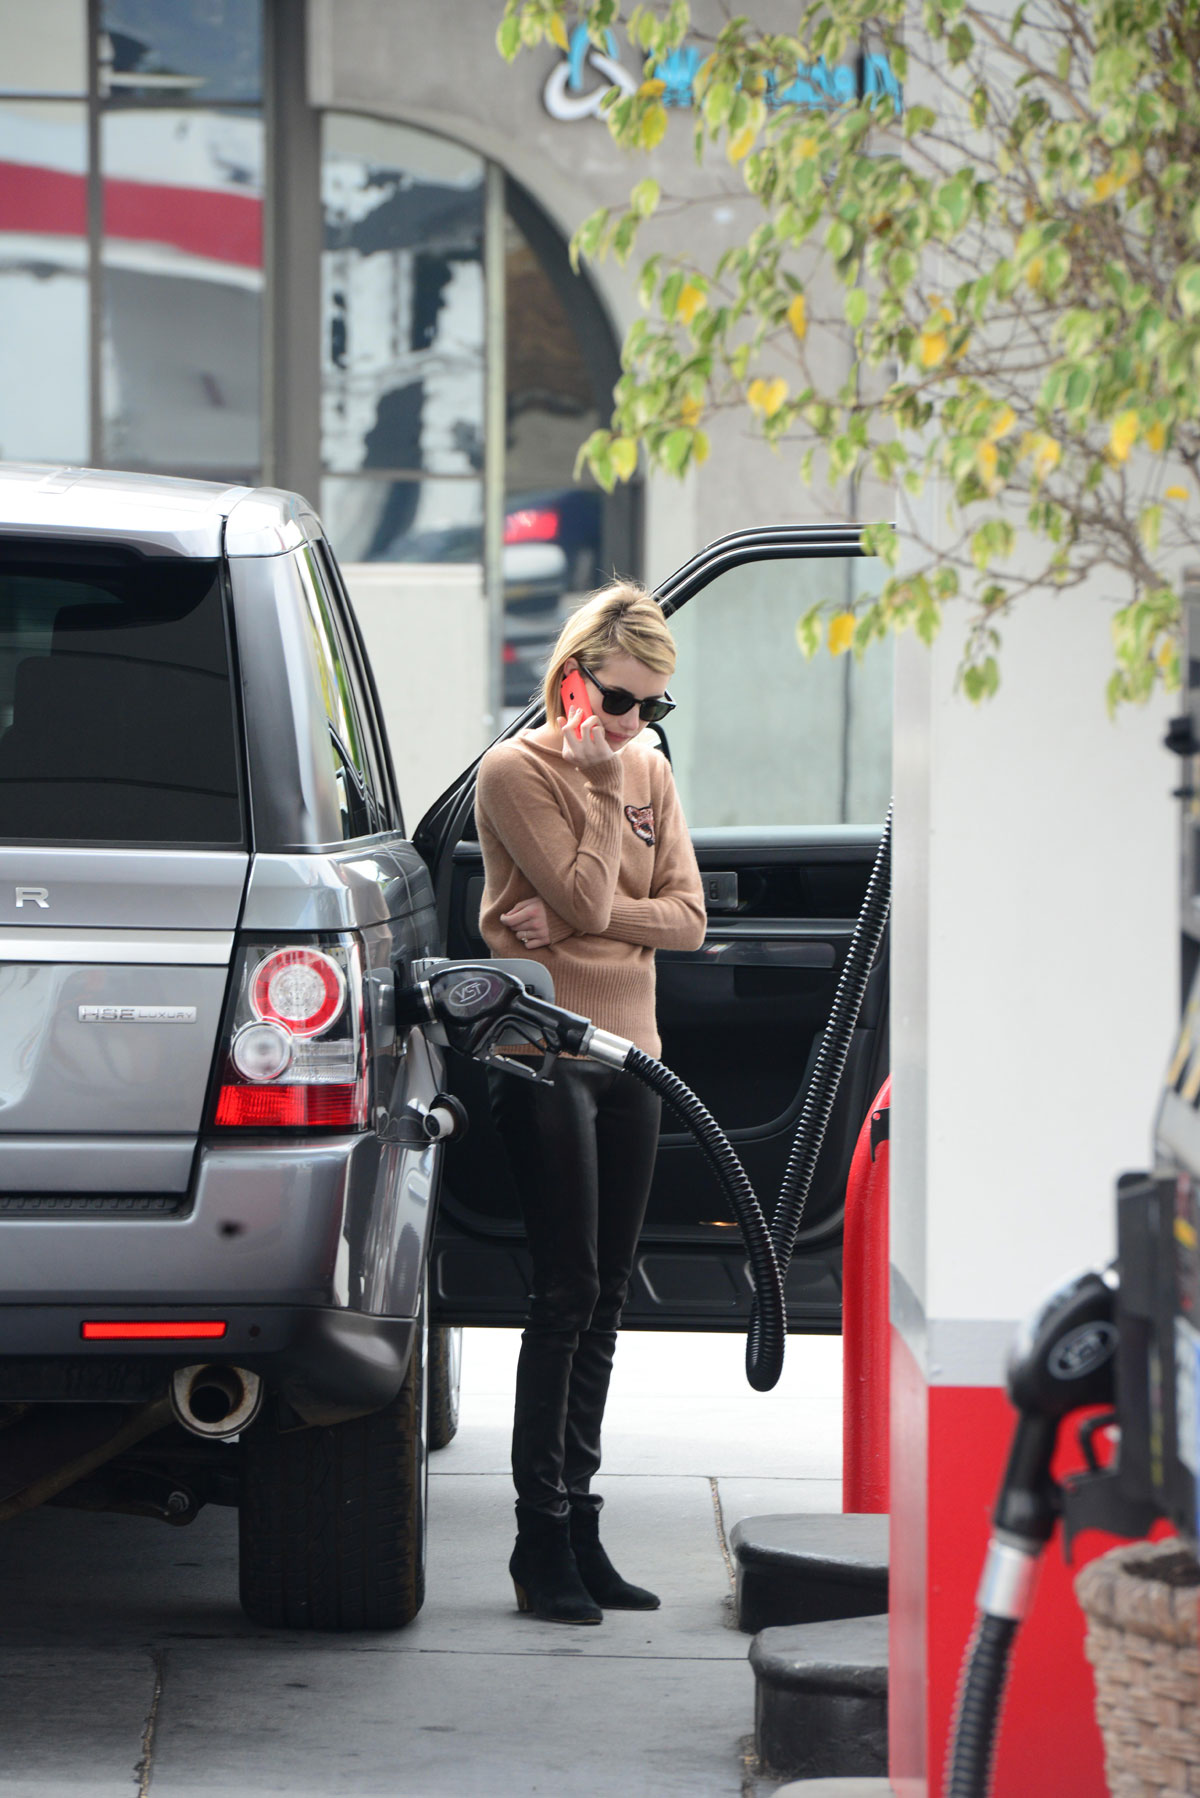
[[402, 303]]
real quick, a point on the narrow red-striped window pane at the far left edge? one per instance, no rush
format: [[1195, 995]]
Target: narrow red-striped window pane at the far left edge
[[44, 281]]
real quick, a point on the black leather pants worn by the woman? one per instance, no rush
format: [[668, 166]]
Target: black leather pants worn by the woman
[[584, 1157]]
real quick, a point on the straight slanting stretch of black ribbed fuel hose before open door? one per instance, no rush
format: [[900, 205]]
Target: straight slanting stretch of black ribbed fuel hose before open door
[[837, 1037]]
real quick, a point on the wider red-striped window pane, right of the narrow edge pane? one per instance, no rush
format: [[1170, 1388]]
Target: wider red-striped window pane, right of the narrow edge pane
[[183, 263]]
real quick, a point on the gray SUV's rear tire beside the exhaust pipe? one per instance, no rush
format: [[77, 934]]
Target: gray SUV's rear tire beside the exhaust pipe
[[332, 1520]]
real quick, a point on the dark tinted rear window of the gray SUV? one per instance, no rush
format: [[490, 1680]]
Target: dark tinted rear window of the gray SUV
[[116, 702]]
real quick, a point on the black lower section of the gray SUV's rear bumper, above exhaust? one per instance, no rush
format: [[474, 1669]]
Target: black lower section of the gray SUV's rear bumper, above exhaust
[[327, 1364]]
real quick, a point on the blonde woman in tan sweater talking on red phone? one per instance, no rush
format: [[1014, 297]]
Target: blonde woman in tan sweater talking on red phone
[[589, 869]]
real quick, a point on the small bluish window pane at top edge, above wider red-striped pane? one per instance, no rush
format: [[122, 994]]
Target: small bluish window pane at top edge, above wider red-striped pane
[[166, 51]]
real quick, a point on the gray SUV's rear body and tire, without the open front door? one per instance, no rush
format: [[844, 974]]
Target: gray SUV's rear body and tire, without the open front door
[[217, 1162]]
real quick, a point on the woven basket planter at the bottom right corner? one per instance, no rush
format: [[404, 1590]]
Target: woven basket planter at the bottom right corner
[[1142, 1605]]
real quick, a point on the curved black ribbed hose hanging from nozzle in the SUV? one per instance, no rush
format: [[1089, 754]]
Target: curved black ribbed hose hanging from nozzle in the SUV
[[769, 1324]]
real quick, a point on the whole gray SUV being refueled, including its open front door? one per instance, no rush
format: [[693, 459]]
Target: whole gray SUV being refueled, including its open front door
[[220, 1272]]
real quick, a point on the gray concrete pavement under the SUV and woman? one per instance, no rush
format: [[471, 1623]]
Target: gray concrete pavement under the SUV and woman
[[129, 1668]]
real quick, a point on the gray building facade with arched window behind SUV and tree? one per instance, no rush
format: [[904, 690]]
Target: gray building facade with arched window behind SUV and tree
[[323, 245]]
